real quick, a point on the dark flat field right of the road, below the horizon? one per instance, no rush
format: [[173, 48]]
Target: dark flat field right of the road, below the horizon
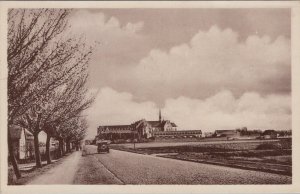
[[263, 155]]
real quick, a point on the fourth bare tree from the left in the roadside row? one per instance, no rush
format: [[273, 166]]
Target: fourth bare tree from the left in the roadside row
[[68, 104]]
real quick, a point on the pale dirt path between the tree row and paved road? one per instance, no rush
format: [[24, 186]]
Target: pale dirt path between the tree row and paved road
[[62, 174]]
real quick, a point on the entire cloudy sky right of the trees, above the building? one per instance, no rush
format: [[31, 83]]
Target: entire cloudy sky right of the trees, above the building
[[205, 69]]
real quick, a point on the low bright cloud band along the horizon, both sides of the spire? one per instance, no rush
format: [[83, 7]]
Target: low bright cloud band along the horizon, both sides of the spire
[[219, 111]]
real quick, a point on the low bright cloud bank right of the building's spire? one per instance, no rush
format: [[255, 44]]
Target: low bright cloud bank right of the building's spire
[[224, 111]]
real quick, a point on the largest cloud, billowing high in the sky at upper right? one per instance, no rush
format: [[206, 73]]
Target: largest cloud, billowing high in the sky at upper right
[[216, 59]]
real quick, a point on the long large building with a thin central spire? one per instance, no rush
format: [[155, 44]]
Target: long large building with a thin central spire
[[144, 129]]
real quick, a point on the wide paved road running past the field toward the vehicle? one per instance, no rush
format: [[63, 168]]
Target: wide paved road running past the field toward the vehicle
[[131, 168]]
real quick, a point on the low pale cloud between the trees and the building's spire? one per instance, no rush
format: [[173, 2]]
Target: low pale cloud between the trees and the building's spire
[[117, 108]]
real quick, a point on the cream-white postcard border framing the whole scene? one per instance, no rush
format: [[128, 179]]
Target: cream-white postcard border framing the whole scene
[[295, 44]]
